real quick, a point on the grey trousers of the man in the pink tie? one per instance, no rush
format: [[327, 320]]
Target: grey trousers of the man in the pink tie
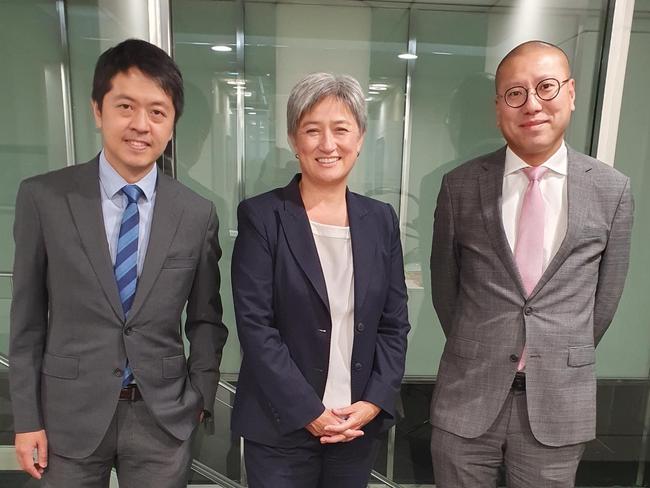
[[474, 463]]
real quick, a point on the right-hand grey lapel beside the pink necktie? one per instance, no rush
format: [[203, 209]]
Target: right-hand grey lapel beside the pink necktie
[[580, 193]]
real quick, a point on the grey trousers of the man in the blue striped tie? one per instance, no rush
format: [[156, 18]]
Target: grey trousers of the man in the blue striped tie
[[144, 455]]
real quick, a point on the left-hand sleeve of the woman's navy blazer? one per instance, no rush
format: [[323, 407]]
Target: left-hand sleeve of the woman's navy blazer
[[265, 353]]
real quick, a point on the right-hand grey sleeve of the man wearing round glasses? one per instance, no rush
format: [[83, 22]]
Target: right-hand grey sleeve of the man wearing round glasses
[[613, 265]]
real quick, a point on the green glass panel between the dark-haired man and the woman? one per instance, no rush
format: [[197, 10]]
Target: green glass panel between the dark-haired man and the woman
[[206, 134]]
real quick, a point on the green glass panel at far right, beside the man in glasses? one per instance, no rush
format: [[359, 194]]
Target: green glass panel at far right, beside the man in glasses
[[630, 333]]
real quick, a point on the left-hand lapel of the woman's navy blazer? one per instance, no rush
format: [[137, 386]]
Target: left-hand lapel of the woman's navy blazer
[[300, 239]]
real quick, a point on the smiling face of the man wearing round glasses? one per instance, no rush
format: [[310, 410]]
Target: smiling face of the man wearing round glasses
[[535, 130]]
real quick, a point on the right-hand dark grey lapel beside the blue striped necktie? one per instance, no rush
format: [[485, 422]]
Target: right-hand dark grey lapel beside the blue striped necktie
[[167, 214]]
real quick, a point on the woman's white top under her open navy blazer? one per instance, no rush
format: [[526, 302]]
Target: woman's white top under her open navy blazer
[[334, 248]]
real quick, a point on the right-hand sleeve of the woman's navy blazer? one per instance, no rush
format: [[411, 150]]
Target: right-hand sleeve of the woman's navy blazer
[[390, 350]]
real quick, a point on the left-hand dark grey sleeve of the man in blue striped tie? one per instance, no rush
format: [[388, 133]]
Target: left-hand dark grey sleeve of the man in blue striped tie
[[29, 312]]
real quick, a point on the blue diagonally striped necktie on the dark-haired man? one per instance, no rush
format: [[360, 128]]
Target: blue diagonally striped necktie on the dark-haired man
[[126, 261]]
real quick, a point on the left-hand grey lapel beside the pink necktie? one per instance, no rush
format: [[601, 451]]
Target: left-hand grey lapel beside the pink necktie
[[491, 189]]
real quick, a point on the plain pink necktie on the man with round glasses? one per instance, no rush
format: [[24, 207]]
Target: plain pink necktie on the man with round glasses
[[529, 246]]
